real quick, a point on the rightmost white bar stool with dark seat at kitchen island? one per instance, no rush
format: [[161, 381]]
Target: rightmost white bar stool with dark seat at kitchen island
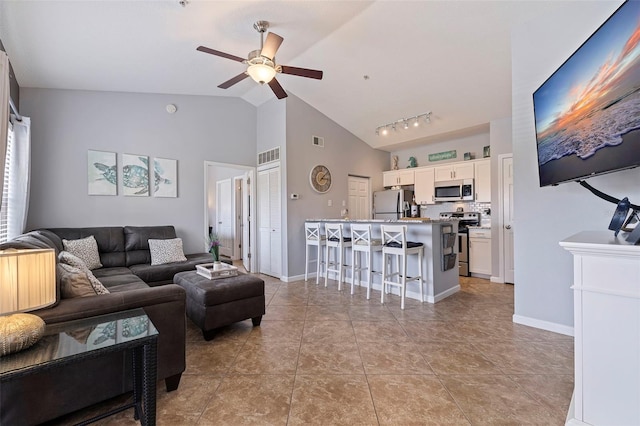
[[394, 243]]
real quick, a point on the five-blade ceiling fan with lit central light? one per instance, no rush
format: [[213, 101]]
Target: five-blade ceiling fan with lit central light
[[262, 66]]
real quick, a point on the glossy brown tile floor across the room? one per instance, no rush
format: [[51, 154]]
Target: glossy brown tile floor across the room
[[325, 357]]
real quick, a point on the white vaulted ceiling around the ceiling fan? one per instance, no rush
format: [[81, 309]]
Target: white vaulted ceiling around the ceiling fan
[[449, 57]]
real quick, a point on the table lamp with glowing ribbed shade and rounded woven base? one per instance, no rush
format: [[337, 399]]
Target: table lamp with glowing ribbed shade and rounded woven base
[[27, 283]]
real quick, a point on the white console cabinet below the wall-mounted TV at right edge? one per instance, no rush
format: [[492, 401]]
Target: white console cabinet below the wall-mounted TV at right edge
[[606, 291]]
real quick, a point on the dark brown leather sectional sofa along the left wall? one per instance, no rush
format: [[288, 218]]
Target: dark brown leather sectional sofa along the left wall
[[133, 283]]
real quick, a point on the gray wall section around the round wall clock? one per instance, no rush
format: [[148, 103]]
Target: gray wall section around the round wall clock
[[343, 154]]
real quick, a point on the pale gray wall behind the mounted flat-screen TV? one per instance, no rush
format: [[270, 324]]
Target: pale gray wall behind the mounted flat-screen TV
[[545, 216]]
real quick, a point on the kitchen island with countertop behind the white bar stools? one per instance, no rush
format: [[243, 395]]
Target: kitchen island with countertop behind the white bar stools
[[440, 263]]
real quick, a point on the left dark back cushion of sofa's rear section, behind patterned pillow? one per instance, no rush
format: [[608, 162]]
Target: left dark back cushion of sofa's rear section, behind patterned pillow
[[110, 241]]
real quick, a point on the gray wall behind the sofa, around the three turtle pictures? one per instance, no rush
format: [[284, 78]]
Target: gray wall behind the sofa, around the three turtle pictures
[[65, 124]]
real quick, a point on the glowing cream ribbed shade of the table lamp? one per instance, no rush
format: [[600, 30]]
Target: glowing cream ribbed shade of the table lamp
[[27, 280]]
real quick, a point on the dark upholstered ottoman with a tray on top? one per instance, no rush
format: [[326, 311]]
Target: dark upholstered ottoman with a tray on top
[[212, 304]]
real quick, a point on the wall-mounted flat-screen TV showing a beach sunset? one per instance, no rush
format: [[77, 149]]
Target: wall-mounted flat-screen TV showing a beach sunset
[[587, 114]]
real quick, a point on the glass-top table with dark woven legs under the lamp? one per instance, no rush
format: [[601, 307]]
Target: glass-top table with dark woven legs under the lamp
[[68, 342]]
